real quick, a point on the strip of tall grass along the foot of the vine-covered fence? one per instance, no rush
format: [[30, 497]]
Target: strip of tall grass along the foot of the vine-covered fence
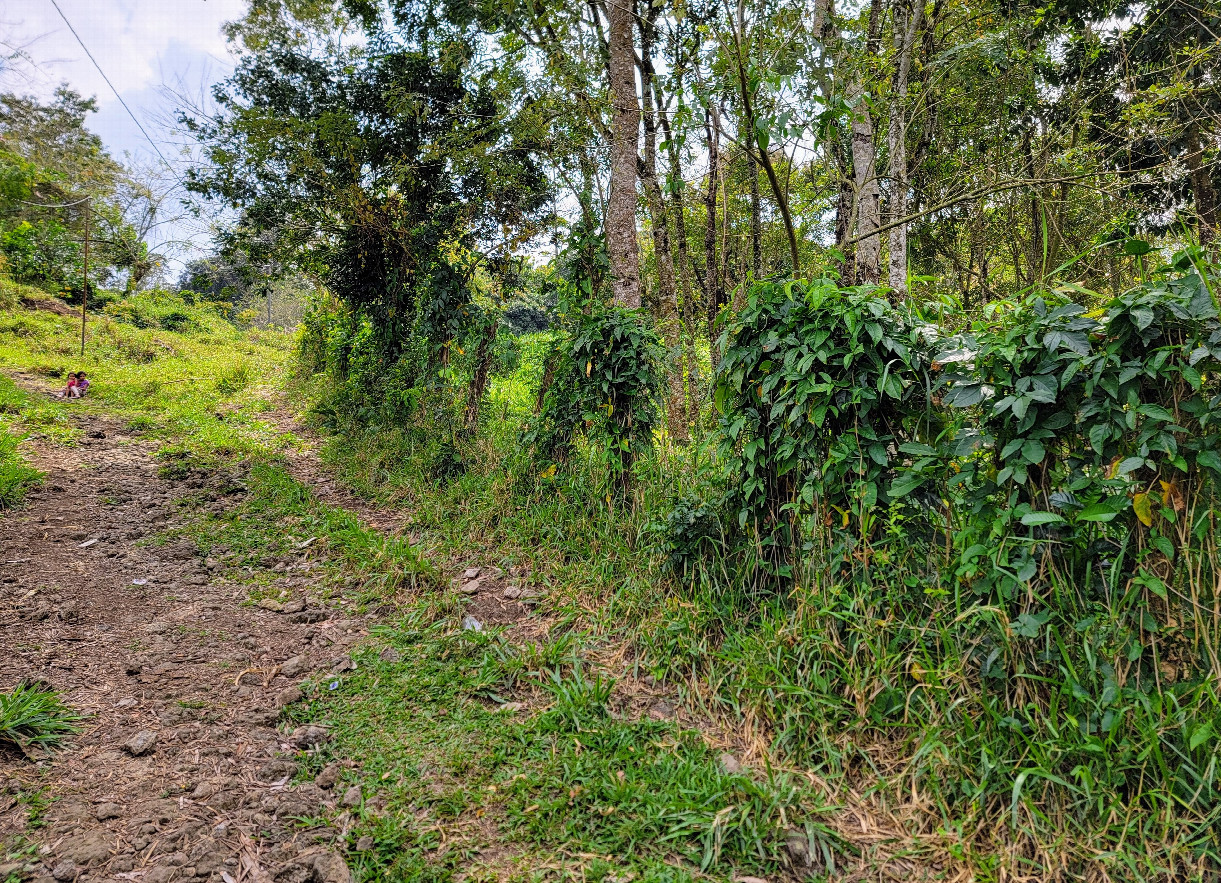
[[880, 682]]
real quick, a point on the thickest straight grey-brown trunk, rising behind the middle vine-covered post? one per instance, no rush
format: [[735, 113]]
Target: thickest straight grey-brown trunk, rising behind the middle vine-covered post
[[621, 218]]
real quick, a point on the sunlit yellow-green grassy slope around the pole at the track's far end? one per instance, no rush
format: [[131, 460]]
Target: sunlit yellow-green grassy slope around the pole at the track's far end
[[203, 387]]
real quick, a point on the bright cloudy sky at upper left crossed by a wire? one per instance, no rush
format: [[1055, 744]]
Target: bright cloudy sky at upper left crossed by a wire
[[143, 47]]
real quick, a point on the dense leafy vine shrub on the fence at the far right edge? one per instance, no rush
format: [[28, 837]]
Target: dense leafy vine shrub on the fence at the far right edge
[[1087, 432]]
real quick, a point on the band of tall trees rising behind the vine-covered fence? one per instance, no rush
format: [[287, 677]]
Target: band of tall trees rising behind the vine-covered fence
[[963, 151]]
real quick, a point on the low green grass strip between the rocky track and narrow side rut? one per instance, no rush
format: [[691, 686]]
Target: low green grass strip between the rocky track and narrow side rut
[[479, 754]]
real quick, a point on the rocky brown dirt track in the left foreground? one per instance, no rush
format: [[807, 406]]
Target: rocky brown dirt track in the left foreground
[[180, 771]]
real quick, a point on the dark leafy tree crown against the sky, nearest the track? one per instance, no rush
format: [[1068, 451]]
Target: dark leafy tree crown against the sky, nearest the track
[[389, 165]]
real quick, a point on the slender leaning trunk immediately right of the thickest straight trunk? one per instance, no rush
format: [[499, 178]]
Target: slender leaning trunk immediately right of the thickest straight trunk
[[667, 293]]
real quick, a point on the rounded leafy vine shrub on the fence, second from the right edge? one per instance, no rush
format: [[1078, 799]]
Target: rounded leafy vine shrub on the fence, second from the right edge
[[824, 398]]
